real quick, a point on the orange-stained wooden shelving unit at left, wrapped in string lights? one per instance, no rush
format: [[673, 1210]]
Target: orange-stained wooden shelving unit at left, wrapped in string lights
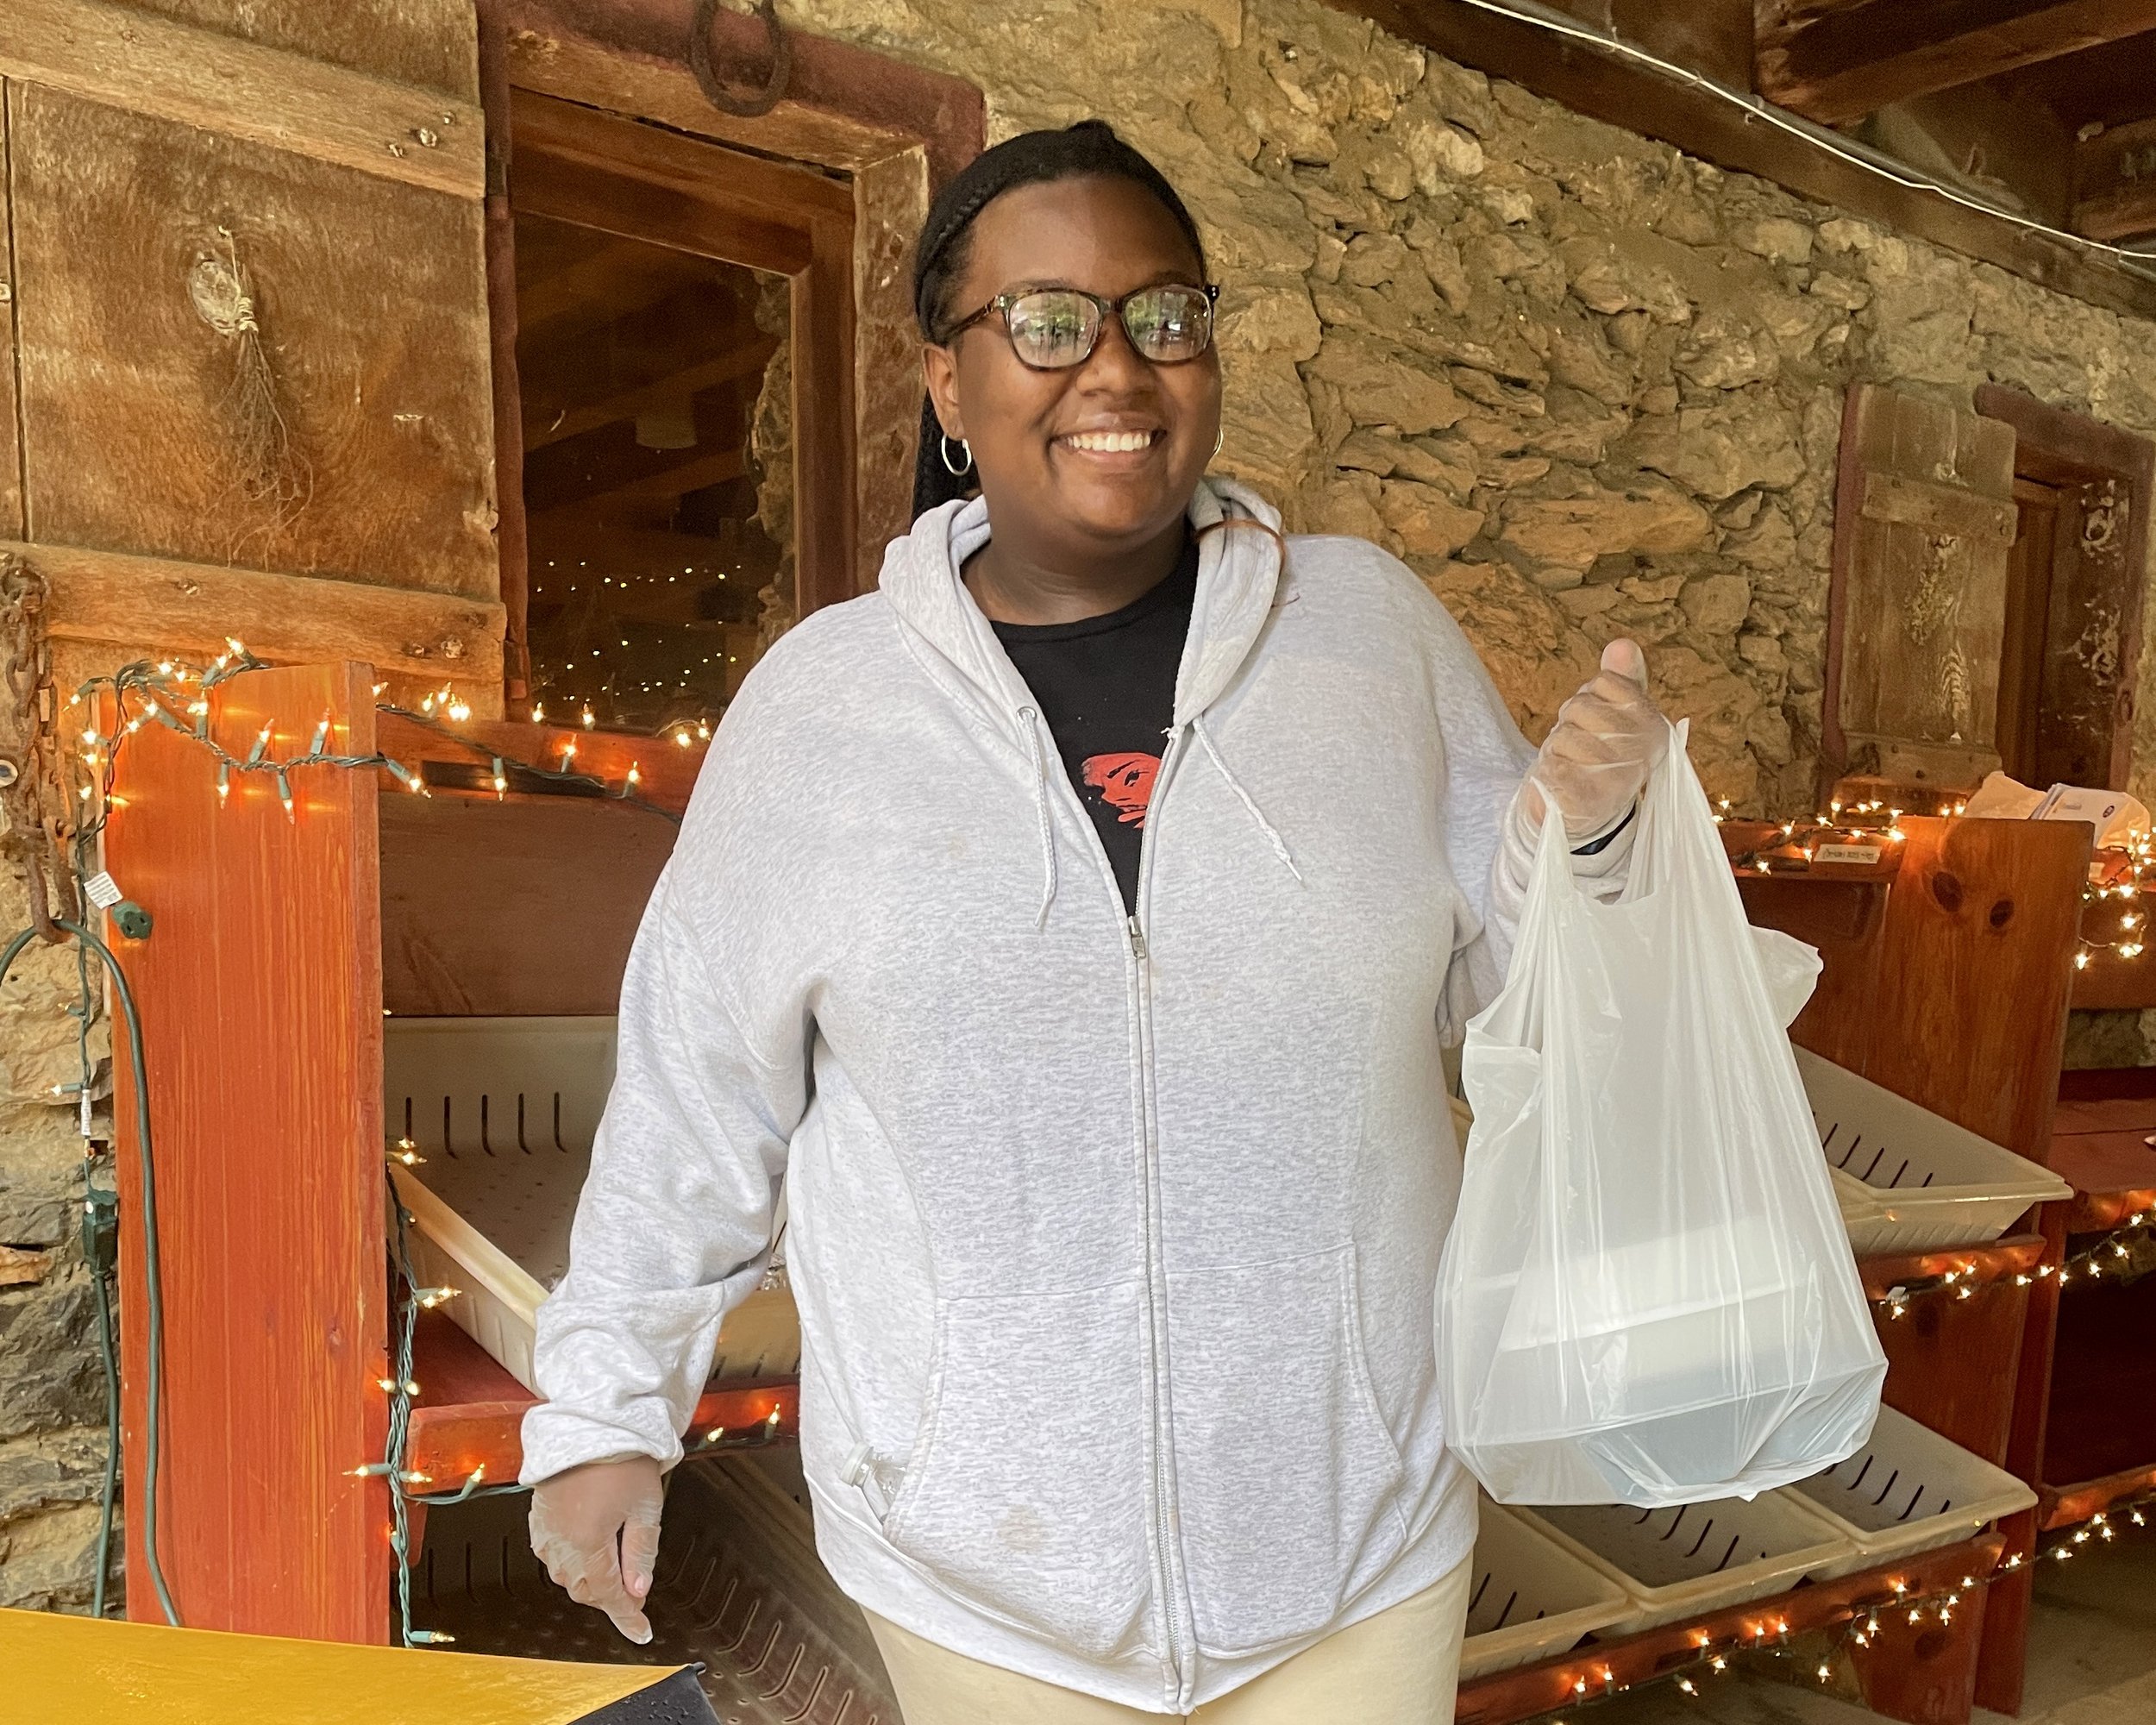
[[279, 948]]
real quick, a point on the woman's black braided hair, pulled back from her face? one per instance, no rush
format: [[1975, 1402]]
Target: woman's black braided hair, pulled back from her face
[[1034, 158]]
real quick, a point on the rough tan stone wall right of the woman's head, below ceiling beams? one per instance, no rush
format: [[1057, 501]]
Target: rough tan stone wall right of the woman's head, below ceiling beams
[[1584, 383]]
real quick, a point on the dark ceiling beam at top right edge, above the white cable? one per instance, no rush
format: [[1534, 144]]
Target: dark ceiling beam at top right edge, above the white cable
[[1838, 61]]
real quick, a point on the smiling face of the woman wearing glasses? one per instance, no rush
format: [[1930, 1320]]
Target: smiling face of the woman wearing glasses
[[1036, 434]]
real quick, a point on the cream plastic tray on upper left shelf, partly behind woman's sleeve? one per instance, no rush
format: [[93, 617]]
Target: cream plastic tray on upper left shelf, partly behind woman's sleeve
[[503, 1114]]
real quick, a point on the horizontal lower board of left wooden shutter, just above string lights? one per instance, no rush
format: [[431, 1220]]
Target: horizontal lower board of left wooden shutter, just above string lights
[[193, 609]]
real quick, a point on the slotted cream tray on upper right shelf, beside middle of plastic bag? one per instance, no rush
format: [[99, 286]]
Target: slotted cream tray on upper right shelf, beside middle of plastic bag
[[1909, 1181]]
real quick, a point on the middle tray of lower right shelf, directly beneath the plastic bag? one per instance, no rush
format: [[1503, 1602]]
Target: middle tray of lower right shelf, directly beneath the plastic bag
[[1696, 1558]]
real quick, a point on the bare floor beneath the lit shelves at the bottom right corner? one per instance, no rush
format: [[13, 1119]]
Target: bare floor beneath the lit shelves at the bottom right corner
[[2092, 1661]]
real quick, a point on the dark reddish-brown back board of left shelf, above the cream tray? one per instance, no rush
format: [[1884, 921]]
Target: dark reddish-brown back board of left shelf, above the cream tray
[[467, 881]]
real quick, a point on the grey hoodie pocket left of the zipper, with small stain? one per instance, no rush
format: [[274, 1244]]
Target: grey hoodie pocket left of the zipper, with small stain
[[1027, 1487]]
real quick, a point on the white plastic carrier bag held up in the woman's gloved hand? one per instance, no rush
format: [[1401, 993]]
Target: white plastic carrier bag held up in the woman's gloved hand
[[1648, 1295]]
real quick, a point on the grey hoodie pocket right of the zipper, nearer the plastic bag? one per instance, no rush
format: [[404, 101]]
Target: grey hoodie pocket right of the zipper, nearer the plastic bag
[[1284, 1469]]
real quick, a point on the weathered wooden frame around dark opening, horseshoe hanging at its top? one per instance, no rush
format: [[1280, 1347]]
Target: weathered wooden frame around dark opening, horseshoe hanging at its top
[[883, 130]]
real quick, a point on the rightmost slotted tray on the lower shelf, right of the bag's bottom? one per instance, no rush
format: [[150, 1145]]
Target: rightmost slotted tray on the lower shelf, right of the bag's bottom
[[1911, 1491]]
